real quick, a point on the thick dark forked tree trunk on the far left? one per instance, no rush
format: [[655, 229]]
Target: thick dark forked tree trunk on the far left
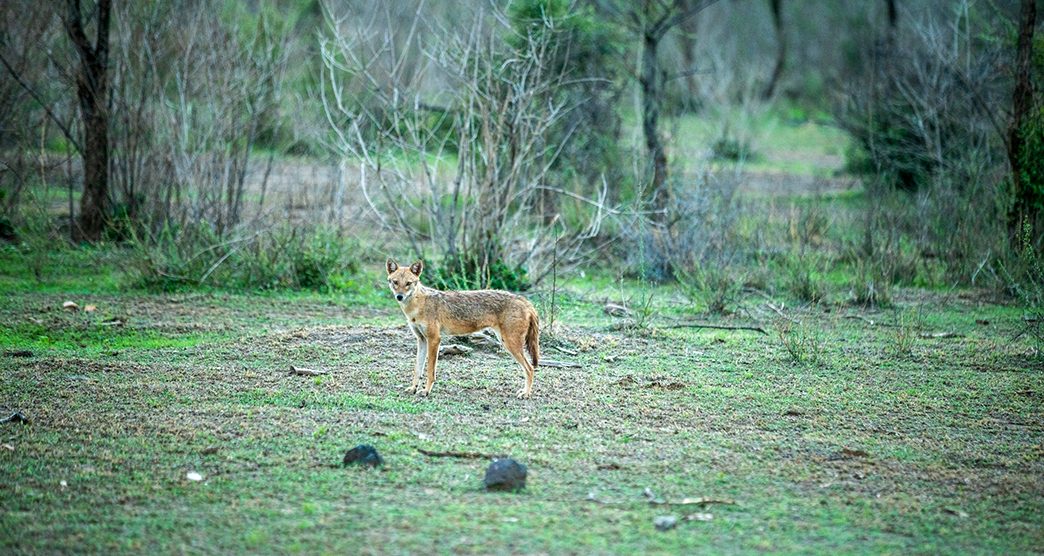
[[92, 91]]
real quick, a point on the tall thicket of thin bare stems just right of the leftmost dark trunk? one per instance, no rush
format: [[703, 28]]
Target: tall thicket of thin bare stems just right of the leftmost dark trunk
[[193, 94]]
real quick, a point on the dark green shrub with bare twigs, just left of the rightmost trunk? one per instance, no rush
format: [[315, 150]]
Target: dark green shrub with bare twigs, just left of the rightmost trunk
[[924, 119]]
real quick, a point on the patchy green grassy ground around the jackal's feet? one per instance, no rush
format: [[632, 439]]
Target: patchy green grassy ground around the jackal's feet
[[876, 441]]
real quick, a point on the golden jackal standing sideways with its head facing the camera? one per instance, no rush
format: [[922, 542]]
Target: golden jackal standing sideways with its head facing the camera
[[432, 313]]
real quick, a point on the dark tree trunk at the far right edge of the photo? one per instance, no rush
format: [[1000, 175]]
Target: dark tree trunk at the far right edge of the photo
[[1023, 210]]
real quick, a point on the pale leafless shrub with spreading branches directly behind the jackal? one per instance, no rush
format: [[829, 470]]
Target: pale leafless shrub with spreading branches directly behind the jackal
[[458, 173]]
